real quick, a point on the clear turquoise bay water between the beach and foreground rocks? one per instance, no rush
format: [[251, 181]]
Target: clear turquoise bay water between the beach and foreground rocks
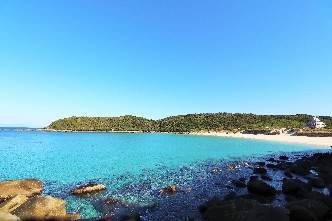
[[133, 166]]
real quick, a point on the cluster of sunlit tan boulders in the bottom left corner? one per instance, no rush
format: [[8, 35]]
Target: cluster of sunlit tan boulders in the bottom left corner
[[22, 200]]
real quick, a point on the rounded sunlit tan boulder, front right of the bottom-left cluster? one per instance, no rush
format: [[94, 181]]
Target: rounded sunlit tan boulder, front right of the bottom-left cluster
[[42, 207]]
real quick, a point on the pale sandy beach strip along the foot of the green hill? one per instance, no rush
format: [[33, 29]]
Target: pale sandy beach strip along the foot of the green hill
[[316, 141]]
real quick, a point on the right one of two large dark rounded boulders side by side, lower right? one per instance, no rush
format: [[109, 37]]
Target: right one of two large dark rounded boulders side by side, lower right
[[294, 186]]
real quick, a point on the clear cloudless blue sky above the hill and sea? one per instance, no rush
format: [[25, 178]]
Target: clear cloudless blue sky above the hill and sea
[[157, 58]]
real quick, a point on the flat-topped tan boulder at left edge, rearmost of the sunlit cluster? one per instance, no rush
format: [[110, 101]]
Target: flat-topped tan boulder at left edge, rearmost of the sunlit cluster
[[29, 187]]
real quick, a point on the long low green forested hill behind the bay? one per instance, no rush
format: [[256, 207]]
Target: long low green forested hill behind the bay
[[186, 123]]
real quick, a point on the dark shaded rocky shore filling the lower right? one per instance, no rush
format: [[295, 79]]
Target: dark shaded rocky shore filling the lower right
[[306, 188]]
